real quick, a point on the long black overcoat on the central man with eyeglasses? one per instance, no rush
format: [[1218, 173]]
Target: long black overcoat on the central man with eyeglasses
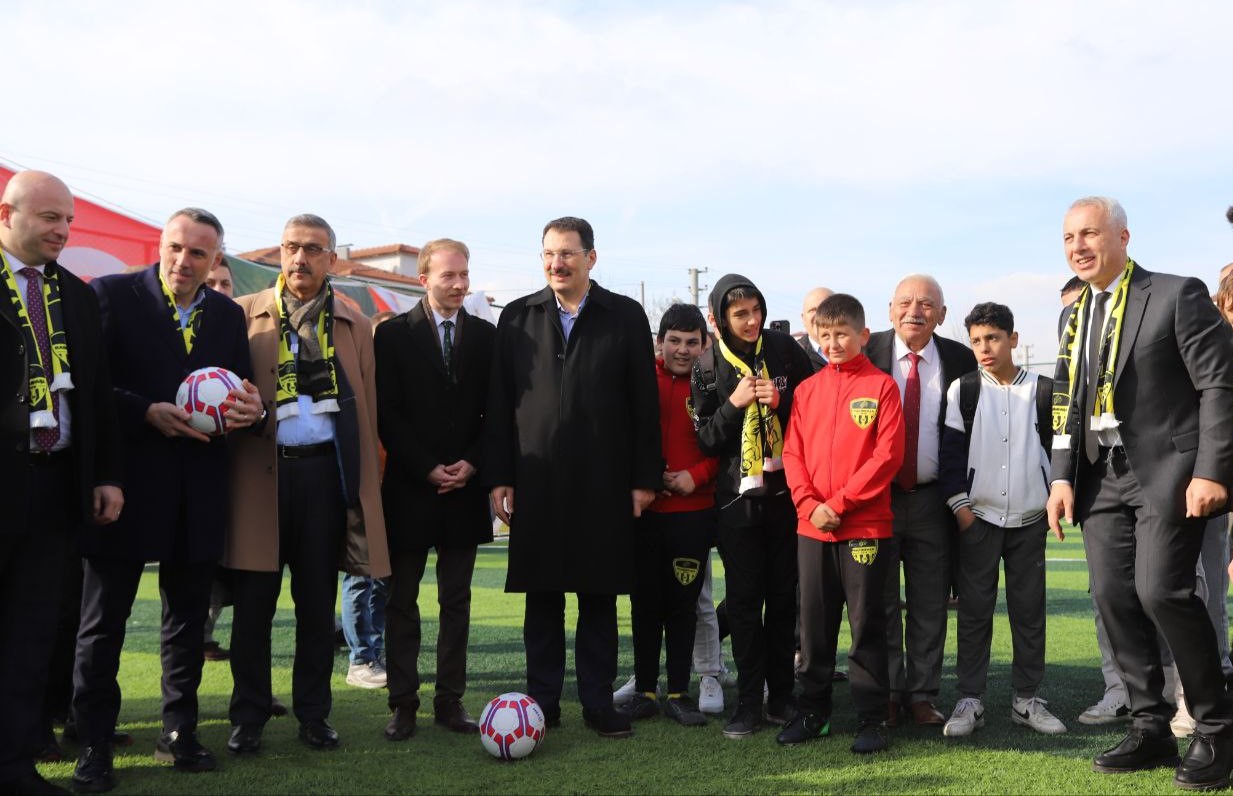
[[574, 428]]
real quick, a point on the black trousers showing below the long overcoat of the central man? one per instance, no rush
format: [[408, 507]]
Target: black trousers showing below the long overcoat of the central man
[[595, 650]]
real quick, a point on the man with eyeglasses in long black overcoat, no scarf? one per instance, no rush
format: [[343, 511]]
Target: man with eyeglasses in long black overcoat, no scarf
[[574, 432]]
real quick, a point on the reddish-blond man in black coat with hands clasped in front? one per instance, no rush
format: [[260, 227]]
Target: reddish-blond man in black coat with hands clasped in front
[[433, 368]]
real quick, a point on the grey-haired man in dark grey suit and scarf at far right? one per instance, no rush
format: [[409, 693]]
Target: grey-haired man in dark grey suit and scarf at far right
[[1142, 455]]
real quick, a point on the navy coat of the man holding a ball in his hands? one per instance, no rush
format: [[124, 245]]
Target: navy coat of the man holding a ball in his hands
[[176, 490]]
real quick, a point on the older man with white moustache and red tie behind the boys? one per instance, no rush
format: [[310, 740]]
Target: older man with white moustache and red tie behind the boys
[[923, 364]]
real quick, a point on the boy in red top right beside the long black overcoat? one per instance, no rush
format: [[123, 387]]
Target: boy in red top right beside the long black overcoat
[[675, 534]]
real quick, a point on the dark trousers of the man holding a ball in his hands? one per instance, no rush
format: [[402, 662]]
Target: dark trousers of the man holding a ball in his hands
[[108, 592]]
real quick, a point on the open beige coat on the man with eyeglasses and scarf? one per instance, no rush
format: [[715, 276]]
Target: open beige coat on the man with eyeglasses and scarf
[[253, 537]]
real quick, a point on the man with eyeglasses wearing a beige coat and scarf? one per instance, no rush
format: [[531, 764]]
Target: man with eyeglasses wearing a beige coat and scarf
[[306, 491]]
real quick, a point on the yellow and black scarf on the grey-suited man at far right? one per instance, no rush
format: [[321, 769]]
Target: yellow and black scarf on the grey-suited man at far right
[[1071, 353]]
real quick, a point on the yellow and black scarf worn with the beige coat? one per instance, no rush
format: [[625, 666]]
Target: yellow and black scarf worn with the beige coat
[[315, 370]]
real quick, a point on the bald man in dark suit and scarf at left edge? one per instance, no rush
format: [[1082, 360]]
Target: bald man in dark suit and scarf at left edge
[[61, 466]]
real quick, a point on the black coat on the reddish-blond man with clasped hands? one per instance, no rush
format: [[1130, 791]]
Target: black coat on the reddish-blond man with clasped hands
[[427, 417]]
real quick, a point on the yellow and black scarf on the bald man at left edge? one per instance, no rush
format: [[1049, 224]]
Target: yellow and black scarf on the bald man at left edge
[[41, 415]]
